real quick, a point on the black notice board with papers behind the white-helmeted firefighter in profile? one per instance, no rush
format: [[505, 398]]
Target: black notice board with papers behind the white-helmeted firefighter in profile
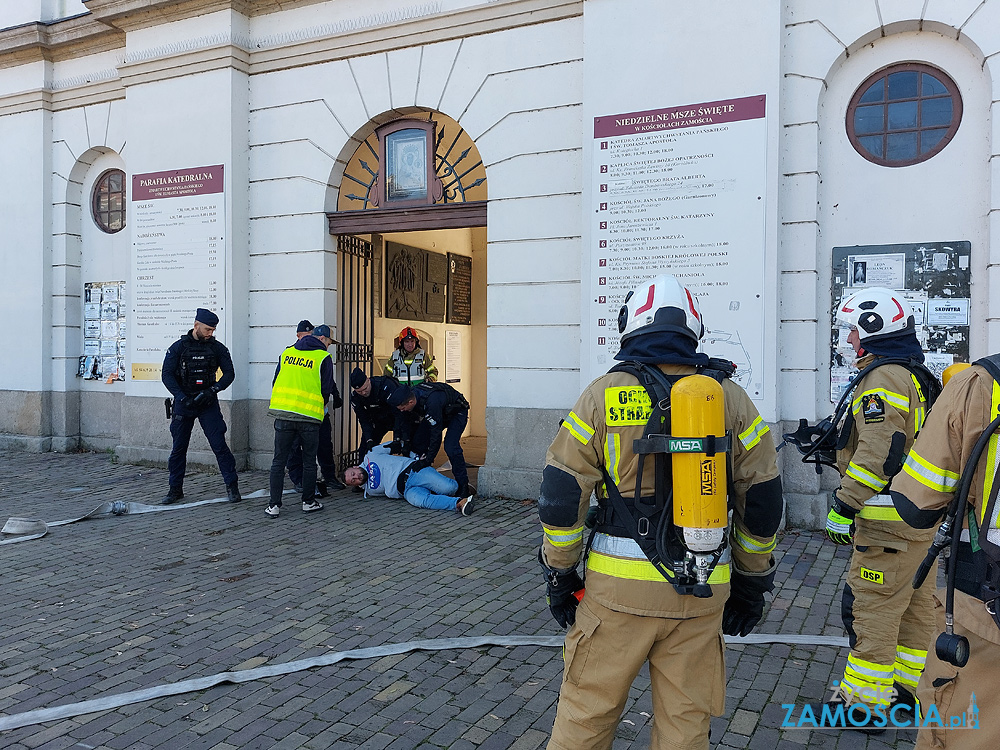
[[935, 279]]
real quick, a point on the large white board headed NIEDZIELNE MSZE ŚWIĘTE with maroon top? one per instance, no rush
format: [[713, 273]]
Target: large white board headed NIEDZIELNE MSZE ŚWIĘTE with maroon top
[[681, 190]]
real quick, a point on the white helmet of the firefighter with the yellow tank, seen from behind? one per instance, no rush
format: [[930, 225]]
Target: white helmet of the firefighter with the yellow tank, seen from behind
[[662, 304]]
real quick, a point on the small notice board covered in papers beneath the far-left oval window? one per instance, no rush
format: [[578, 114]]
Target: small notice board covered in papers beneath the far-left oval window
[[104, 326]]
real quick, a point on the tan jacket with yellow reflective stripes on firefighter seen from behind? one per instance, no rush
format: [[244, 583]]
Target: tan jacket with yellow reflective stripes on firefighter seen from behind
[[598, 433]]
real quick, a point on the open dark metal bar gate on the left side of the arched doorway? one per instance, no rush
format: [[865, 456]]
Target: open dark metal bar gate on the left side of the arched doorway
[[356, 332]]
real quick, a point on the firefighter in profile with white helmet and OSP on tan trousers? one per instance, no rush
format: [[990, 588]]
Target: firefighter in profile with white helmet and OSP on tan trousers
[[888, 622]]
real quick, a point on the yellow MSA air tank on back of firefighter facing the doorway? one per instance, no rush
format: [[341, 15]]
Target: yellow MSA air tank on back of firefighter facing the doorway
[[698, 411]]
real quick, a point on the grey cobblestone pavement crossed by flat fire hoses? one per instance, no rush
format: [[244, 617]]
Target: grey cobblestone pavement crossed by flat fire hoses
[[112, 605]]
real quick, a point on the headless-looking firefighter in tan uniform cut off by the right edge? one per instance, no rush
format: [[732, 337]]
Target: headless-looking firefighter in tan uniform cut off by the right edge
[[929, 482]]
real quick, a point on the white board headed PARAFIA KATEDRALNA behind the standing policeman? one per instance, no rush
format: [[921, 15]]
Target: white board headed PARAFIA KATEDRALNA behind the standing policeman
[[178, 258]]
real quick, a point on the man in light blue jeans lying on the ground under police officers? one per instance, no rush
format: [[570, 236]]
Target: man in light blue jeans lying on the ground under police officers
[[422, 486]]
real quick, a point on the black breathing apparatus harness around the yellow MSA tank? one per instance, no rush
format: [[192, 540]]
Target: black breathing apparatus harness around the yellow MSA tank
[[649, 520]]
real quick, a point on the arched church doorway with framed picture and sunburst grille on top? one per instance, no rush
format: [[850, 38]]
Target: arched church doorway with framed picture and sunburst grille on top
[[411, 242]]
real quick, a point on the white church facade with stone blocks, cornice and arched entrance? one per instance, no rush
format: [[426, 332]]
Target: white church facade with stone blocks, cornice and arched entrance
[[495, 174]]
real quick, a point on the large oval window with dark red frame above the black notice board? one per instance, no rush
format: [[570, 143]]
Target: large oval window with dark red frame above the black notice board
[[904, 114]]
